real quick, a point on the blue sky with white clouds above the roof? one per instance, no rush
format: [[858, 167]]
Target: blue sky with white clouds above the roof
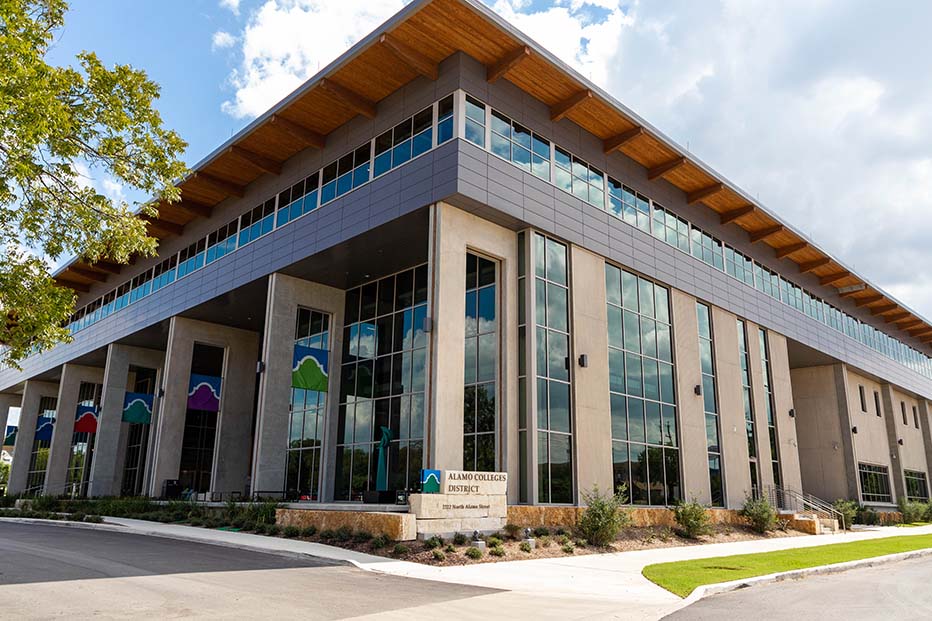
[[822, 109]]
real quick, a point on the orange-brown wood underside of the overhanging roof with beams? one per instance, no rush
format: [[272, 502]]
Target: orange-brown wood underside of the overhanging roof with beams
[[413, 45]]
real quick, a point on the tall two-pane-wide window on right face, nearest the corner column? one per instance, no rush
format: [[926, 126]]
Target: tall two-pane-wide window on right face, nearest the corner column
[[552, 342]]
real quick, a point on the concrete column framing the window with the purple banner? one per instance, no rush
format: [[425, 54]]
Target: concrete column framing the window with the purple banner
[[234, 423]]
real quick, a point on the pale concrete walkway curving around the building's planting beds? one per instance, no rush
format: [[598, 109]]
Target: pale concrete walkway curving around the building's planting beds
[[614, 580]]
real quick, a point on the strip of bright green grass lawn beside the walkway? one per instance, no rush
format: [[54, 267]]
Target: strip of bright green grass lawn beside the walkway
[[682, 577]]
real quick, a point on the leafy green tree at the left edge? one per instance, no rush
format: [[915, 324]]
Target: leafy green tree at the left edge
[[55, 124]]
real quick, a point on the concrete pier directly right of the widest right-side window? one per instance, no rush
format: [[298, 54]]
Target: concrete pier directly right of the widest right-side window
[[694, 450]]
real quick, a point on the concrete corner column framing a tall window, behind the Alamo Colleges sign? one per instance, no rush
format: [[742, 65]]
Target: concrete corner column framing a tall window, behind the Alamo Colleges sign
[[454, 233]]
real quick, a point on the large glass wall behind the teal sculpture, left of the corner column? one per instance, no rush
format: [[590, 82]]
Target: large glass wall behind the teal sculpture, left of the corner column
[[381, 413]]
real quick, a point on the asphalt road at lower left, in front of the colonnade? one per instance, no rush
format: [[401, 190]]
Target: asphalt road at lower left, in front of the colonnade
[[50, 571]]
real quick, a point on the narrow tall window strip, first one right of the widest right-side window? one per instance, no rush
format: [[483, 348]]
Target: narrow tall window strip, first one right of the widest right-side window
[[713, 432]]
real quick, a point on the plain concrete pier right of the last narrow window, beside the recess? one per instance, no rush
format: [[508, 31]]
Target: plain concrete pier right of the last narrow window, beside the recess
[[783, 403]]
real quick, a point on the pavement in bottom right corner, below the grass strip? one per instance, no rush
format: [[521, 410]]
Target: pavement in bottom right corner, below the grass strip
[[891, 591]]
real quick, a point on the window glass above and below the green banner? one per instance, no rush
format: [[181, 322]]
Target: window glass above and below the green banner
[[308, 413]]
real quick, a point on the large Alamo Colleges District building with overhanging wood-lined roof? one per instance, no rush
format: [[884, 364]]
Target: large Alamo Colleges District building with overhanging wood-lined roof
[[448, 250]]
